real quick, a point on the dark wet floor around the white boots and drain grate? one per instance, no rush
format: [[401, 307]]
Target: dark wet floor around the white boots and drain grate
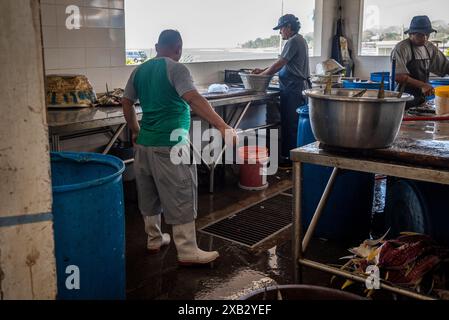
[[239, 269]]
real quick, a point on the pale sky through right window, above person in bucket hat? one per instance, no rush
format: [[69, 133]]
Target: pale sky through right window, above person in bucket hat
[[386, 13]]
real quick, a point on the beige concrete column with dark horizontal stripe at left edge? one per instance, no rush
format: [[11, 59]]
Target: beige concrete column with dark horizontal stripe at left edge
[[27, 261]]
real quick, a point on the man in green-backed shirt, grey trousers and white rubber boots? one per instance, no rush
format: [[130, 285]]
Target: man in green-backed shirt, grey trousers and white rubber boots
[[166, 93]]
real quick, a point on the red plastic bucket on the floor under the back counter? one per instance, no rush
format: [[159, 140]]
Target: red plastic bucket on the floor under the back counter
[[253, 169]]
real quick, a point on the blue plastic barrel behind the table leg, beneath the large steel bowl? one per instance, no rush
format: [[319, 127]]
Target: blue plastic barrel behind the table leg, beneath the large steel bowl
[[348, 211]]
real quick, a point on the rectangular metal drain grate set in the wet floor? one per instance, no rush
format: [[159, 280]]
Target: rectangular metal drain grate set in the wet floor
[[255, 225]]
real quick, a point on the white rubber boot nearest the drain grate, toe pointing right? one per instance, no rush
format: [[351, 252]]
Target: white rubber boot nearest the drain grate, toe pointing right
[[184, 236]]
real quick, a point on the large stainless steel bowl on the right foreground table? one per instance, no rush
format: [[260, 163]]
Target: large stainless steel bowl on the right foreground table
[[338, 120]]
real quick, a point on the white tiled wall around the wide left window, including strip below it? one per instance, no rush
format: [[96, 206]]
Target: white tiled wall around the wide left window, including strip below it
[[97, 49]]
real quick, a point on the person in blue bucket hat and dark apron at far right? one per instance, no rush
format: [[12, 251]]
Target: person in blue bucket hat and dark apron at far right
[[416, 57]]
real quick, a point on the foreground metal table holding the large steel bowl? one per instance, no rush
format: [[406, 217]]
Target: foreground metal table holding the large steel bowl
[[421, 152]]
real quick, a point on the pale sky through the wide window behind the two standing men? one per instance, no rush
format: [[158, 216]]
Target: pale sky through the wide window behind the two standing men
[[210, 23]]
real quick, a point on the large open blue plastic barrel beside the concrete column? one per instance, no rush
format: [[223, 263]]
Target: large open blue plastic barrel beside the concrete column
[[89, 225]]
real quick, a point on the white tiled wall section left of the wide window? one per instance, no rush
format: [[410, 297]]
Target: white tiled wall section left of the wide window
[[97, 49]]
